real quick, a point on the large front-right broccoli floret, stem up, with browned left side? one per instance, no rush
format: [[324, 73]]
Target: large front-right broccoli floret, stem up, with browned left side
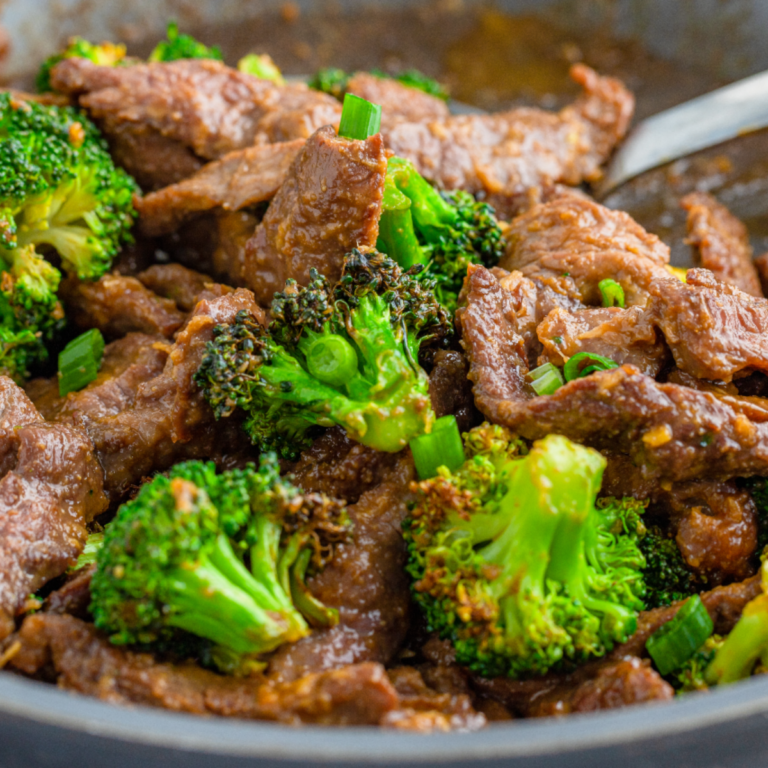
[[514, 564]]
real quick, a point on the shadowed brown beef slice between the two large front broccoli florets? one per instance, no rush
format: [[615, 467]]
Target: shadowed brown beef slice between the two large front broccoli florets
[[366, 582]]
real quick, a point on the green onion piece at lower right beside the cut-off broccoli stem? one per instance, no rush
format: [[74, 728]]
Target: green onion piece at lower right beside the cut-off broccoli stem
[[677, 640]]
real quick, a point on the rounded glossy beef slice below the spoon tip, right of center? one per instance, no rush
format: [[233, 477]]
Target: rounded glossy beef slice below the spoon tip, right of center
[[572, 243]]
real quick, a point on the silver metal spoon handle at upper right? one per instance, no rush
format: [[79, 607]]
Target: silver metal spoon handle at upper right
[[706, 121]]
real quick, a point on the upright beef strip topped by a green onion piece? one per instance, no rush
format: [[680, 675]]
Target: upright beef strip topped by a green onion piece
[[329, 204]]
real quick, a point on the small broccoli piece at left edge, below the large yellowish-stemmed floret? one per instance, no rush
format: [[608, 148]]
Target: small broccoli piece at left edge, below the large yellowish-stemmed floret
[[30, 313]]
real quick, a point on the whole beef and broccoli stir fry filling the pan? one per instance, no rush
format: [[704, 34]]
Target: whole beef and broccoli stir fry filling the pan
[[321, 404]]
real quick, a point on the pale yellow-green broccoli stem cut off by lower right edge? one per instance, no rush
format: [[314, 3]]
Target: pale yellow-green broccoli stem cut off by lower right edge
[[744, 646]]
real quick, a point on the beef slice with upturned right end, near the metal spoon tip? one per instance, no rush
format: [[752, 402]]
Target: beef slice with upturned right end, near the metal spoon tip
[[506, 155]]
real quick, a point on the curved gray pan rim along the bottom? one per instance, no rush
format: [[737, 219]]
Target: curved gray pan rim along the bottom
[[46, 705]]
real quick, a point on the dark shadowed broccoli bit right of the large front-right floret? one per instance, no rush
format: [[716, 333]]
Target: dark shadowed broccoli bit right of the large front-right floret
[[667, 577]]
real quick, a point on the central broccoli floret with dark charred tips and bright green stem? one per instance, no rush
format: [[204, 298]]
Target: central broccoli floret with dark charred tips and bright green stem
[[344, 356]]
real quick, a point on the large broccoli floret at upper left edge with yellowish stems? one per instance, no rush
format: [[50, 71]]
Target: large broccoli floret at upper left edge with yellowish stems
[[59, 187]]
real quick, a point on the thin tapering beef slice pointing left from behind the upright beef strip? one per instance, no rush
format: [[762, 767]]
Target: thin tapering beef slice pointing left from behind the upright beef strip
[[238, 180]]
